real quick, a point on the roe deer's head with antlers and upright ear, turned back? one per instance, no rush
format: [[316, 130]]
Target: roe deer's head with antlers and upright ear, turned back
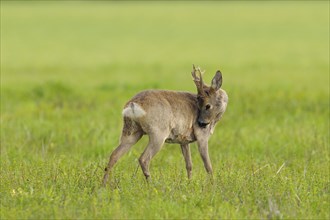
[[210, 98]]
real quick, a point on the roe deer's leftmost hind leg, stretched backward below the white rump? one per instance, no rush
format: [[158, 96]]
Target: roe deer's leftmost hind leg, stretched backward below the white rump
[[131, 134]]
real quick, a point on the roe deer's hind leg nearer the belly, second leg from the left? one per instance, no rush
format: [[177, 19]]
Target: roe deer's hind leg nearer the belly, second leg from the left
[[155, 144]]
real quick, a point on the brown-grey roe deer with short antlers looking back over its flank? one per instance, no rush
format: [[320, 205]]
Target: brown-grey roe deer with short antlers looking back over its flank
[[172, 117]]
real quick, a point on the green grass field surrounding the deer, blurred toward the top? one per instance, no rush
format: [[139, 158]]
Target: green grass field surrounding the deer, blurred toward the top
[[67, 69]]
